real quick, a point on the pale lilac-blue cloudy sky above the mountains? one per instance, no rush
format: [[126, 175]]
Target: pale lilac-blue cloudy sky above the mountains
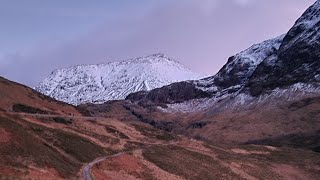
[[38, 36]]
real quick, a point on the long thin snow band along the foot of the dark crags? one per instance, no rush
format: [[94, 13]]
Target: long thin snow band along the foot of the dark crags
[[243, 100]]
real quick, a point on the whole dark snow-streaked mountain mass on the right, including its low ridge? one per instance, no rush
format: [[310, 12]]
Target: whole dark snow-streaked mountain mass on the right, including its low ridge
[[276, 64]]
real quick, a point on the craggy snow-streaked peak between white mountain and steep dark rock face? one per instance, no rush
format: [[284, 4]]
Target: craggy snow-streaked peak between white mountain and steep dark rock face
[[236, 72]]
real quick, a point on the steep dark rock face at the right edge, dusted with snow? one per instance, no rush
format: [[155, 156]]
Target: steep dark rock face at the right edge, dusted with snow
[[297, 60]]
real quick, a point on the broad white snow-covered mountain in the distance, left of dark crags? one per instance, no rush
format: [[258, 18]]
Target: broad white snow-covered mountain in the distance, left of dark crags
[[113, 81]]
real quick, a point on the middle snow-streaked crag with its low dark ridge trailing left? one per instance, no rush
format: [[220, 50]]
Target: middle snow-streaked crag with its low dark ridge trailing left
[[231, 78]]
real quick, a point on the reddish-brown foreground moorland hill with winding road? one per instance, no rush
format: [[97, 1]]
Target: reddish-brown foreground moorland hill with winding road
[[40, 142]]
